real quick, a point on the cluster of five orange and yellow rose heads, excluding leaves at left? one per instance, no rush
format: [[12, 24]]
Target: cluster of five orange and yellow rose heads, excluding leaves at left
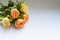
[[15, 16]]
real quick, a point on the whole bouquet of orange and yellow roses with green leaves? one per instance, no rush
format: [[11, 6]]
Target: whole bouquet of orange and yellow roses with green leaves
[[16, 12]]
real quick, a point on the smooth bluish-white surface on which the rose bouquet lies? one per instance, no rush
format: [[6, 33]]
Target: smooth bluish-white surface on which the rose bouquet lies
[[43, 24]]
